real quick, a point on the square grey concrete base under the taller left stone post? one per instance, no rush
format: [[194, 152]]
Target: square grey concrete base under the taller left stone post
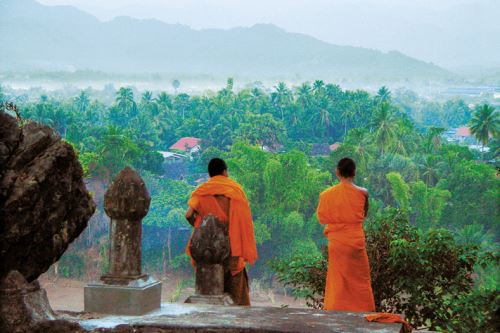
[[137, 298]]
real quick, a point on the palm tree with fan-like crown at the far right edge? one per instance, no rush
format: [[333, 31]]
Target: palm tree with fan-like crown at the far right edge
[[485, 122]]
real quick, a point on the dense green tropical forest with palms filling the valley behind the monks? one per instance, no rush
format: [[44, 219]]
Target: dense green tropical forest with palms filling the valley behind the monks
[[434, 205]]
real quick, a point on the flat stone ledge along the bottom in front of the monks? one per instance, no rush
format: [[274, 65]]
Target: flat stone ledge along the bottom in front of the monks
[[235, 319]]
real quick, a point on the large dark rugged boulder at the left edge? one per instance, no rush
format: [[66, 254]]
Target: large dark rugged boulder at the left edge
[[44, 204]]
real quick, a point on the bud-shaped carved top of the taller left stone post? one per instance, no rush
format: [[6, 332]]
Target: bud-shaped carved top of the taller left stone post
[[127, 198]]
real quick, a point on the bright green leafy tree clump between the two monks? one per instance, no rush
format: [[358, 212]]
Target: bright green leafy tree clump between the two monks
[[283, 193]]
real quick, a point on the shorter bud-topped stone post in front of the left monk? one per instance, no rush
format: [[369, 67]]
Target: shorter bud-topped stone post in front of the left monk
[[210, 248]]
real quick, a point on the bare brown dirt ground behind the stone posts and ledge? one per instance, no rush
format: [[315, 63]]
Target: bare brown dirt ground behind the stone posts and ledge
[[67, 294]]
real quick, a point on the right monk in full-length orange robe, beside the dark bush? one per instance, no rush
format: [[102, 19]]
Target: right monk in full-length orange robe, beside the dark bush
[[342, 209]]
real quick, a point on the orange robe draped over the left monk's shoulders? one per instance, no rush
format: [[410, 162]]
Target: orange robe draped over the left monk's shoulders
[[241, 233]]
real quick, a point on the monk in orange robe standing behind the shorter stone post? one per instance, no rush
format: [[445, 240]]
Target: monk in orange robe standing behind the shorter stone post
[[224, 198]]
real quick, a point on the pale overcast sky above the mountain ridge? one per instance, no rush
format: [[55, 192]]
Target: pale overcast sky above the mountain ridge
[[450, 33]]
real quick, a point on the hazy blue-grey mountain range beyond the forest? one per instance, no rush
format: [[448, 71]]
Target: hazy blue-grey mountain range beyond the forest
[[50, 38]]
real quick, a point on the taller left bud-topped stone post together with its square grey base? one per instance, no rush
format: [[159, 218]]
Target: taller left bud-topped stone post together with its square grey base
[[124, 289]]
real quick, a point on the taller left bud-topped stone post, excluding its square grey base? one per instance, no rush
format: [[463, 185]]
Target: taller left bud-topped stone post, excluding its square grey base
[[126, 203]]
